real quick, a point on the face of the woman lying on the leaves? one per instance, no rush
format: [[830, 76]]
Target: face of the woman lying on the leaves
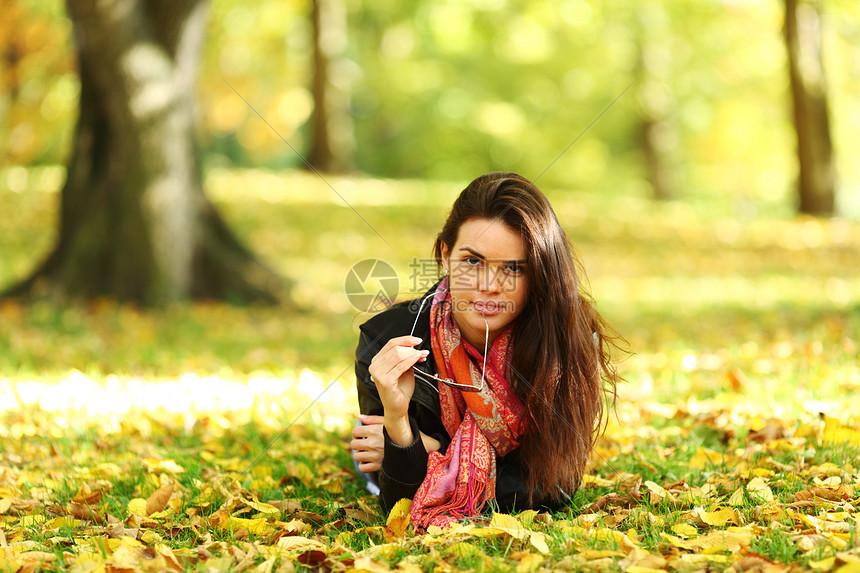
[[487, 278]]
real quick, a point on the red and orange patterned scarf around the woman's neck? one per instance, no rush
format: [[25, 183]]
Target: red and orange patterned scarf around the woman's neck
[[482, 425]]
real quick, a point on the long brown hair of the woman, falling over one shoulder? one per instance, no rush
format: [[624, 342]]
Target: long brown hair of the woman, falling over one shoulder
[[561, 365]]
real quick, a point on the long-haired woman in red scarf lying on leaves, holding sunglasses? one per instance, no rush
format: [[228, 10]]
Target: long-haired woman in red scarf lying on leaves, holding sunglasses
[[489, 388]]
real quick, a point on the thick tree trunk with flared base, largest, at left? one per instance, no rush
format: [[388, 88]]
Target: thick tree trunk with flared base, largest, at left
[[134, 222]]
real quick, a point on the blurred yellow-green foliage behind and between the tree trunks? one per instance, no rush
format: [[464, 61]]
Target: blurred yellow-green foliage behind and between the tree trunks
[[446, 90]]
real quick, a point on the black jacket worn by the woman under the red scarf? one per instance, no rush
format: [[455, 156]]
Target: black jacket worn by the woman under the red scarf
[[403, 469]]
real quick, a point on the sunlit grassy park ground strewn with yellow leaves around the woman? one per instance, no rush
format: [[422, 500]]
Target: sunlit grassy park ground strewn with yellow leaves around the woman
[[730, 323]]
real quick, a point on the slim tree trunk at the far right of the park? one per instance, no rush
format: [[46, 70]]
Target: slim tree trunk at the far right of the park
[[817, 178]]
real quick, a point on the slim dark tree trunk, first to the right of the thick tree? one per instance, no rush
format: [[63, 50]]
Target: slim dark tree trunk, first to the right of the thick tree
[[331, 126]]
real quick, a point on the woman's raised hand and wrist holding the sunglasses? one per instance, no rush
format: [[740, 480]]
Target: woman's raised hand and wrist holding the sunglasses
[[391, 371]]
